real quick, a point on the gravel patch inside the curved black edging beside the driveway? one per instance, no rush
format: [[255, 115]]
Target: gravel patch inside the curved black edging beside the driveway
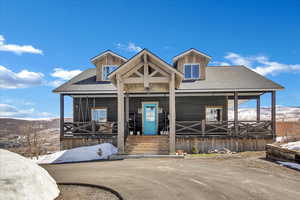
[[74, 192]]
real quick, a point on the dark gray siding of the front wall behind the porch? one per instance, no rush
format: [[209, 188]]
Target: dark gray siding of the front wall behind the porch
[[187, 108]]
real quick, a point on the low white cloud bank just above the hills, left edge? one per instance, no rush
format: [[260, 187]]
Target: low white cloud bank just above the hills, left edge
[[10, 111]]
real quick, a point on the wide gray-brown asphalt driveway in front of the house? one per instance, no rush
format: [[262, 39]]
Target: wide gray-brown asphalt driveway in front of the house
[[234, 177]]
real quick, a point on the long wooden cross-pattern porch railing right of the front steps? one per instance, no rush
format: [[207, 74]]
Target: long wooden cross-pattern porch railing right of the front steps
[[222, 128]]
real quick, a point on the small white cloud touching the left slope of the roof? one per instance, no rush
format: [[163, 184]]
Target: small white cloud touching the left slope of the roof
[[62, 75]]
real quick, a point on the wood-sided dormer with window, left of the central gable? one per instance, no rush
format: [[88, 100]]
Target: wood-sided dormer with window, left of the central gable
[[106, 63]]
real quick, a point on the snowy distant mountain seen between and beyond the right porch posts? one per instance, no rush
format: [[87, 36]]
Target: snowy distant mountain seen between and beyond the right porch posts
[[283, 113]]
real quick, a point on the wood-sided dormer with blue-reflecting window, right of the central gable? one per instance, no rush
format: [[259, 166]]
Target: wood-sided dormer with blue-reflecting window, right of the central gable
[[192, 63]]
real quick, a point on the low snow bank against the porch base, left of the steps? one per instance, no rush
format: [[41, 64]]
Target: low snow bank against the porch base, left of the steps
[[87, 153]]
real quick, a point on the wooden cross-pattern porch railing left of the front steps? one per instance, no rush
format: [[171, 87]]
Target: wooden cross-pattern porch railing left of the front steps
[[89, 128]]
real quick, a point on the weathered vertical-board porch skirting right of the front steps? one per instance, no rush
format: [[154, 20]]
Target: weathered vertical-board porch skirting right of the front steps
[[205, 144]]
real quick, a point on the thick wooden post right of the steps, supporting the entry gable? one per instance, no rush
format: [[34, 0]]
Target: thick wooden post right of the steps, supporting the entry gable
[[172, 115]]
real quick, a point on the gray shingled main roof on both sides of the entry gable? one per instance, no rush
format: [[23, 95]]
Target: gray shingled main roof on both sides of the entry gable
[[218, 79]]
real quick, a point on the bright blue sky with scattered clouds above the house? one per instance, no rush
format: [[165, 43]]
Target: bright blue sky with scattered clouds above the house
[[61, 36]]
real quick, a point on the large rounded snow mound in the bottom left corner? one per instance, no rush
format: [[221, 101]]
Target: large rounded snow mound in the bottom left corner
[[20, 178]]
